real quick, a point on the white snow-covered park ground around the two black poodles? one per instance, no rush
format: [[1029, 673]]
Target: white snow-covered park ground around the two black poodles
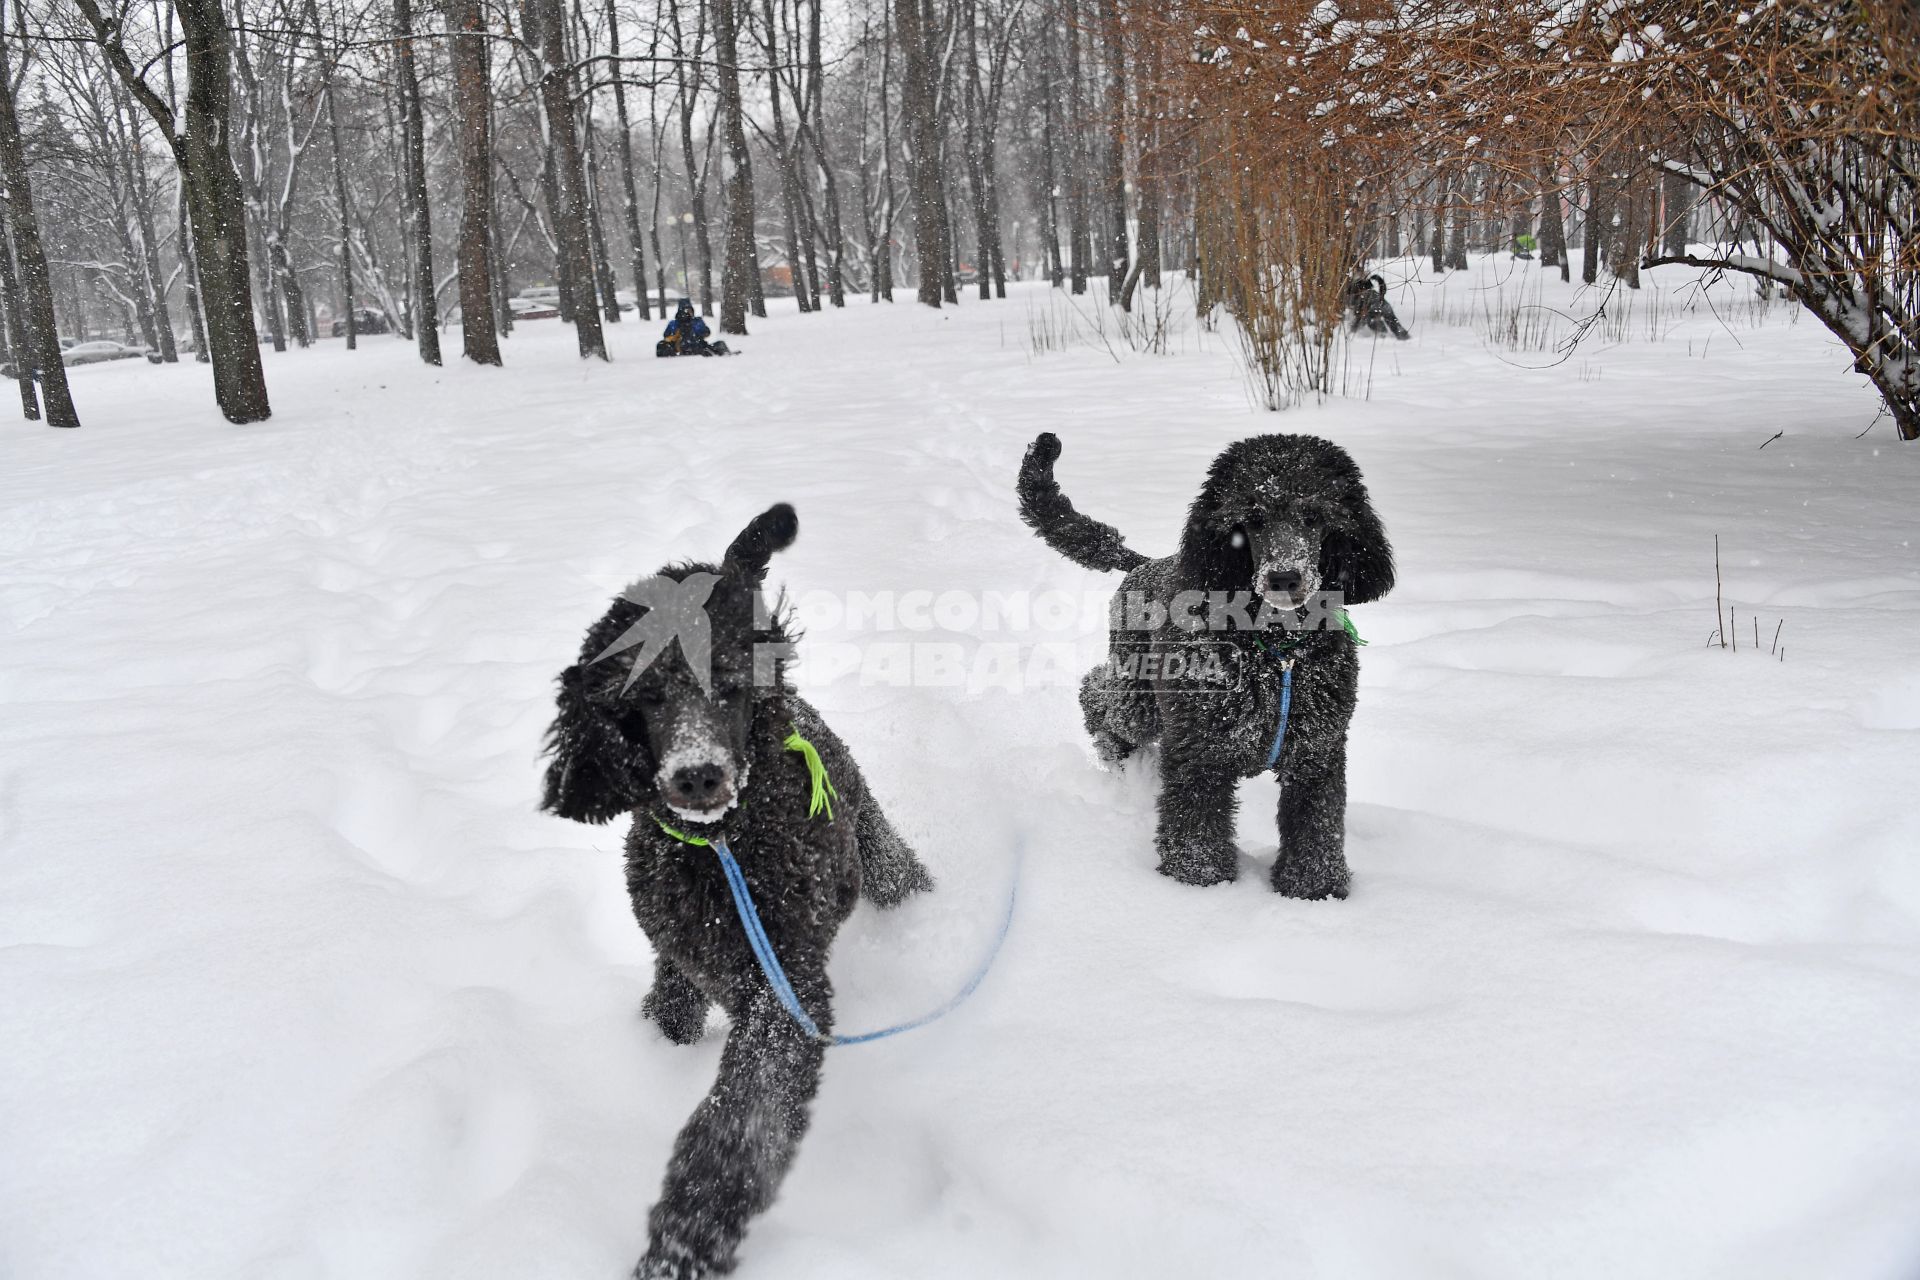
[[297, 984]]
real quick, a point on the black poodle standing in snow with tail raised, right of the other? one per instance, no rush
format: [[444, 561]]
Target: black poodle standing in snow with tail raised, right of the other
[[1280, 517]]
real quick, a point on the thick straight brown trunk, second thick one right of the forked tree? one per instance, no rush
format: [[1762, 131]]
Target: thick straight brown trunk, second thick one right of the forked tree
[[473, 120]]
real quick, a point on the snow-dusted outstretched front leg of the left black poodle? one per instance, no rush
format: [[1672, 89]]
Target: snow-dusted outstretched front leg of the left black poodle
[[732, 1156]]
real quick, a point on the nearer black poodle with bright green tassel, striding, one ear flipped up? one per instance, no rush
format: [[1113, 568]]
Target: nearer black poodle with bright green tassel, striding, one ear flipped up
[[608, 746]]
